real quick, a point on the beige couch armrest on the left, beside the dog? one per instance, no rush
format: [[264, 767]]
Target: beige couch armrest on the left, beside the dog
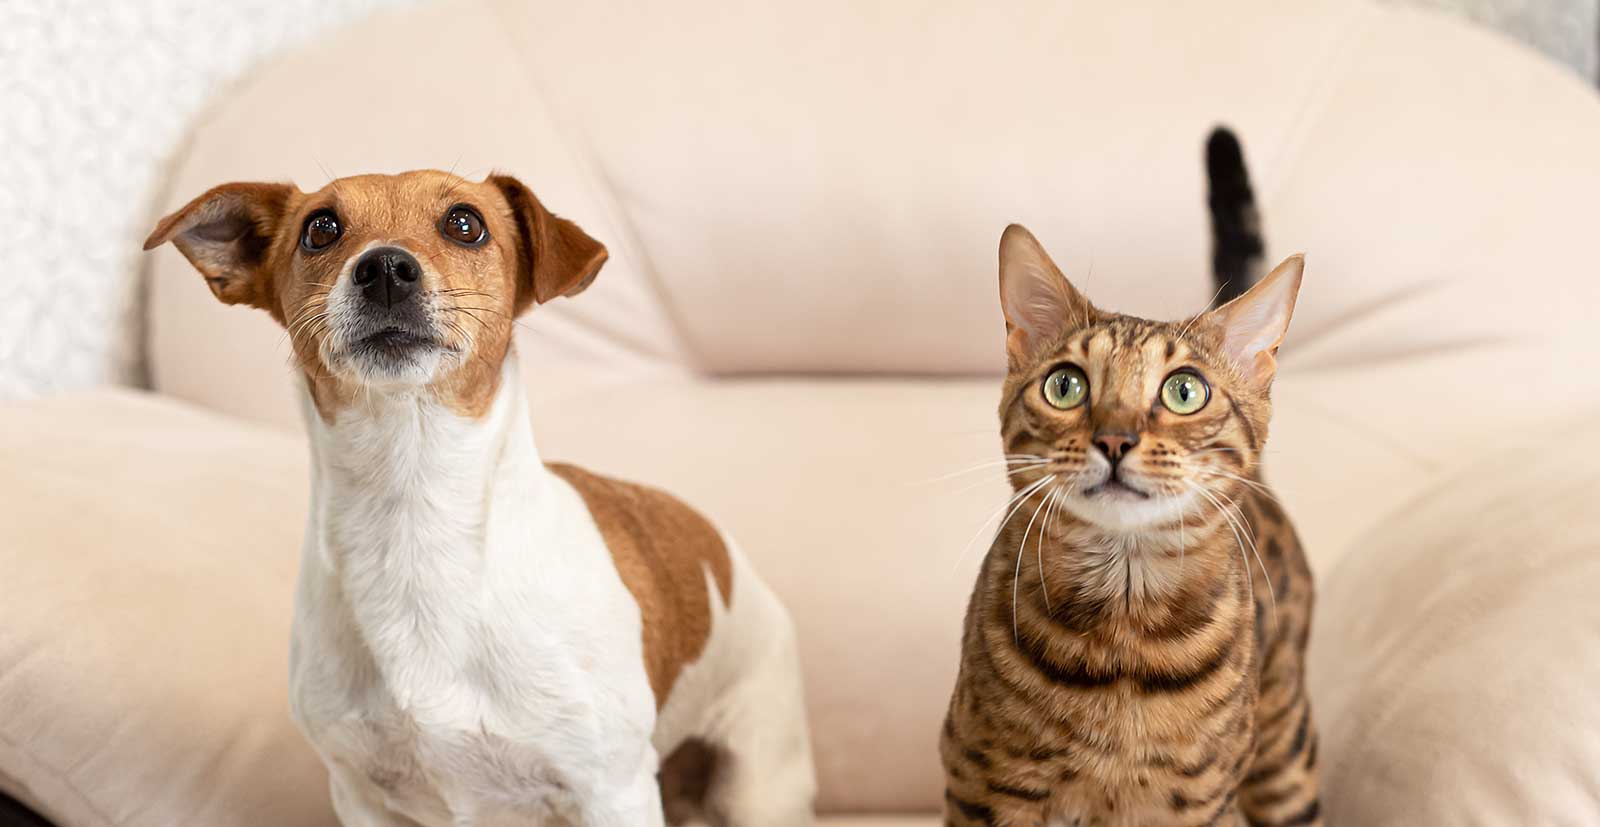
[[150, 562]]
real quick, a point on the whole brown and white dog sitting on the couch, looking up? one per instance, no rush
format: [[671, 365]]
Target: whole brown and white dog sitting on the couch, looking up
[[482, 639]]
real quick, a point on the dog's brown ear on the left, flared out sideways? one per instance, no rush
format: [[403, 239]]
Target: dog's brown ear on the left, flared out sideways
[[226, 234]]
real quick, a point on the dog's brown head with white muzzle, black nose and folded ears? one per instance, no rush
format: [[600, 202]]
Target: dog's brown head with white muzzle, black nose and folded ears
[[388, 284]]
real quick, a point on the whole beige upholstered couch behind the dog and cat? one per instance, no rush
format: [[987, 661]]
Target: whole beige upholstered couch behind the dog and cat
[[799, 330]]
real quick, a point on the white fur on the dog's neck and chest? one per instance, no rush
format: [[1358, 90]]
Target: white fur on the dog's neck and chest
[[463, 642]]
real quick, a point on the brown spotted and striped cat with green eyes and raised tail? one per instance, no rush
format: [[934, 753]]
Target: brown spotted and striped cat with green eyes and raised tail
[[1134, 652]]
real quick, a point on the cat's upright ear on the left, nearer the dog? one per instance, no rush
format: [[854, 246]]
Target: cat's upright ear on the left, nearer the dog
[[1039, 303]]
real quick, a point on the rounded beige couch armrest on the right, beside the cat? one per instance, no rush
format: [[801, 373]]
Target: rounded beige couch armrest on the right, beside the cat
[[1458, 652]]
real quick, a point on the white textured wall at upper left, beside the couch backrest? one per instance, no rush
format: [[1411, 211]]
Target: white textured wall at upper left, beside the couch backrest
[[95, 100]]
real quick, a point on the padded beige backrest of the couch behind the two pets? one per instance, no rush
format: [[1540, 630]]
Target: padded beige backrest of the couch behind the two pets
[[820, 188]]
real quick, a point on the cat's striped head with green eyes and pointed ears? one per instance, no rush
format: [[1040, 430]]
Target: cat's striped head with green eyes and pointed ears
[[1135, 423]]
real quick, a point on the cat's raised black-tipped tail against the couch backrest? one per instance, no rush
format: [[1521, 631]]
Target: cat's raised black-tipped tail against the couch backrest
[[1238, 247]]
